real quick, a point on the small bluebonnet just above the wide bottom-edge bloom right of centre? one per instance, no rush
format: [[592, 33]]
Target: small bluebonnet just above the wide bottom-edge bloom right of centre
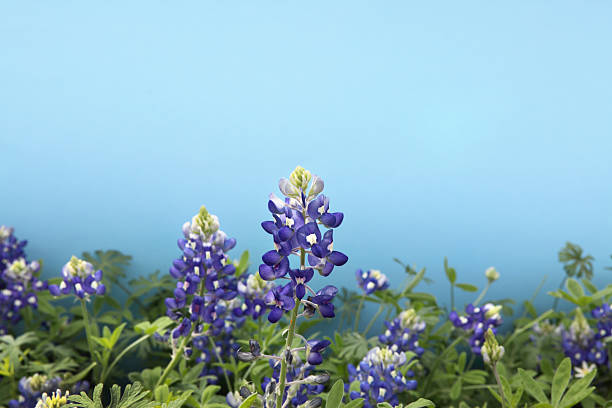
[[402, 333]]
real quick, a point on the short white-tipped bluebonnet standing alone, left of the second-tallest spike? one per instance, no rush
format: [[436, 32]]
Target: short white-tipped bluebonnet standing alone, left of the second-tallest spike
[[79, 277]]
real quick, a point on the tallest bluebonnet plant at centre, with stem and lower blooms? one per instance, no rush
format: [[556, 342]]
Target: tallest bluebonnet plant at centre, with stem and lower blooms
[[296, 231]]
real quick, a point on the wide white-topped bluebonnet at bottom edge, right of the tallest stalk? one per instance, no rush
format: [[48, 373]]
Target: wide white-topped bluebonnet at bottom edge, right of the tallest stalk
[[379, 377]]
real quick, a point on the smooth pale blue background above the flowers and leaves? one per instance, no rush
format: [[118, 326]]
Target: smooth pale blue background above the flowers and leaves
[[474, 130]]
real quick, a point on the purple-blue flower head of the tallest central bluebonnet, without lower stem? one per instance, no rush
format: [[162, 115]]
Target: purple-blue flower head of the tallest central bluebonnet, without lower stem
[[295, 229]]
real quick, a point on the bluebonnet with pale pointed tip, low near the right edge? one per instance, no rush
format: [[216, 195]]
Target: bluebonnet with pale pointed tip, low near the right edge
[[581, 344]]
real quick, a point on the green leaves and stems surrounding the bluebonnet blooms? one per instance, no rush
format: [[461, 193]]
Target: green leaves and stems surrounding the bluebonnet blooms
[[533, 371]]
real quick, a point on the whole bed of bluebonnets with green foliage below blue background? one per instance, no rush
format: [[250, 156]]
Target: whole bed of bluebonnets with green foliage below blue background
[[217, 331]]
